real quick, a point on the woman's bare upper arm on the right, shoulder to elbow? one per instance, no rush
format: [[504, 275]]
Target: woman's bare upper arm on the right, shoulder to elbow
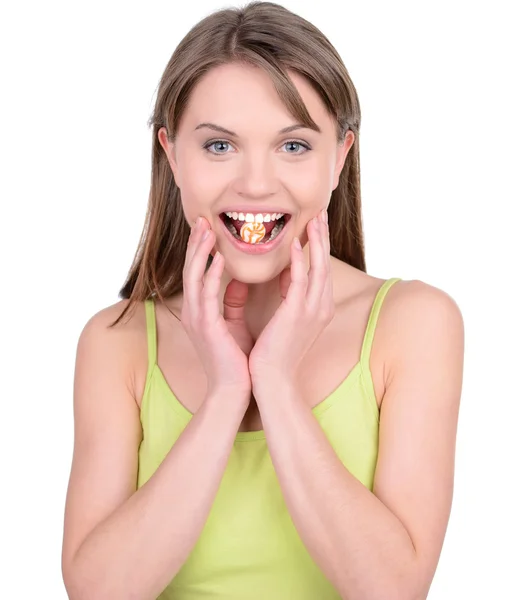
[[419, 416]]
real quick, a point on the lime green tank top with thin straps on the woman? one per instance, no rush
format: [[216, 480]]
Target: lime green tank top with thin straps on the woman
[[249, 547]]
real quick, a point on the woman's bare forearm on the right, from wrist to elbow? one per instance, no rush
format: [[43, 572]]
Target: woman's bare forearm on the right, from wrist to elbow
[[358, 543]]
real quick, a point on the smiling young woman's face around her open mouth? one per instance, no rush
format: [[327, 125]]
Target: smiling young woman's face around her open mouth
[[259, 168]]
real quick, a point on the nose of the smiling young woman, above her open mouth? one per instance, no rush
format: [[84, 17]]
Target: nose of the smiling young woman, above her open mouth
[[256, 177]]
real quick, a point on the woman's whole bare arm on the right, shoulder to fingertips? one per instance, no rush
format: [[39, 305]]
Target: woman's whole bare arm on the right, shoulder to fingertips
[[397, 529]]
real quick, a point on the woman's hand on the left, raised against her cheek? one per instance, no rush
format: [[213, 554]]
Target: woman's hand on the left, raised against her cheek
[[223, 343]]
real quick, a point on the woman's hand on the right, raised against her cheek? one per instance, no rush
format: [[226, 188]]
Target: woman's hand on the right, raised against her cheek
[[306, 309]]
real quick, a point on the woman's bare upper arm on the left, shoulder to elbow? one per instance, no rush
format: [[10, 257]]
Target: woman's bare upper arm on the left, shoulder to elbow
[[107, 431]]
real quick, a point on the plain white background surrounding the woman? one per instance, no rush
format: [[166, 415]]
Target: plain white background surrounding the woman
[[78, 84]]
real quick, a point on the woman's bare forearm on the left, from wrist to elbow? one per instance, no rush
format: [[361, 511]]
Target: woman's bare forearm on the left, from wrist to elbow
[[138, 550]]
